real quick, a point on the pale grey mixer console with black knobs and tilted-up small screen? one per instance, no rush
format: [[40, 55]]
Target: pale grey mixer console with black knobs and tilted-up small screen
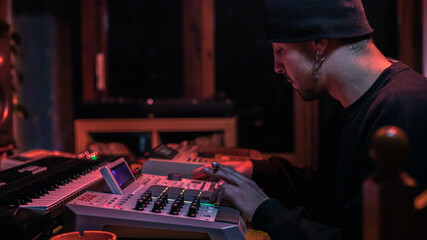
[[147, 201]]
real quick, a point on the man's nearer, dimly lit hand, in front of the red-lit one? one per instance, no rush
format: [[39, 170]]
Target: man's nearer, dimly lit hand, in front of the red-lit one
[[240, 191]]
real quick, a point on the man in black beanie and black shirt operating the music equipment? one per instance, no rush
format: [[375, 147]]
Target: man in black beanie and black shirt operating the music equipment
[[324, 46]]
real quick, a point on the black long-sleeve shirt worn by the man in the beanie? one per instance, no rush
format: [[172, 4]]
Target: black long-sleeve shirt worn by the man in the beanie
[[327, 203]]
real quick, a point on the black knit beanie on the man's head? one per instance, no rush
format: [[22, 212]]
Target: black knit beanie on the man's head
[[304, 20]]
